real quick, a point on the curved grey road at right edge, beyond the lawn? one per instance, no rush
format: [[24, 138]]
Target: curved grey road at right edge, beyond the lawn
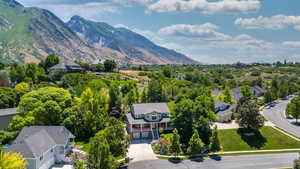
[[276, 116]]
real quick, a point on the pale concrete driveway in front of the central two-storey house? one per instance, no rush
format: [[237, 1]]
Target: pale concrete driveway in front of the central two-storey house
[[141, 150]]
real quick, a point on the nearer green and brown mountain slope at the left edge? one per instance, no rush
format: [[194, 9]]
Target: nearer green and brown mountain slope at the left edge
[[30, 34]]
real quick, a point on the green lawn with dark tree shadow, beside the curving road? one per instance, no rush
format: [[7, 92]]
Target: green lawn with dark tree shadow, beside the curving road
[[268, 138]]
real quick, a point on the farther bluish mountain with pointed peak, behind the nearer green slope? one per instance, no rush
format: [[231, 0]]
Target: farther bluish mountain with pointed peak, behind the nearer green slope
[[139, 49]]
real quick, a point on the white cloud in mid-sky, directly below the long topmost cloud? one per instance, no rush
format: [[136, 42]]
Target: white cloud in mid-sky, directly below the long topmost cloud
[[206, 31]]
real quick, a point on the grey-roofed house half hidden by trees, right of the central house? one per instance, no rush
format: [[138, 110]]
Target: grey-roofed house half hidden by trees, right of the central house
[[223, 111]]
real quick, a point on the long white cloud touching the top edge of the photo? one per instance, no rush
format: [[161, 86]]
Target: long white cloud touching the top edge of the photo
[[204, 6]]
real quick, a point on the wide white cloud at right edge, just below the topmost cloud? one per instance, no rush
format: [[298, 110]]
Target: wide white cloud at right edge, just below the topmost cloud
[[274, 23]]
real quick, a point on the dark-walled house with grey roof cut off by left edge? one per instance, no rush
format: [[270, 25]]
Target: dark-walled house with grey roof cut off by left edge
[[6, 116]]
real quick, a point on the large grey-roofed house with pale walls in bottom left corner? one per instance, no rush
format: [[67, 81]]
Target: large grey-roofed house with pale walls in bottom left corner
[[43, 146]]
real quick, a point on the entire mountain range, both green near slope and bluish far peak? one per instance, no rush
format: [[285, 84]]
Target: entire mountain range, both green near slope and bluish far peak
[[30, 34]]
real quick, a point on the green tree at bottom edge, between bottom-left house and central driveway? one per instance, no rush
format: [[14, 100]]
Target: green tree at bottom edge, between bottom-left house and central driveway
[[99, 154]]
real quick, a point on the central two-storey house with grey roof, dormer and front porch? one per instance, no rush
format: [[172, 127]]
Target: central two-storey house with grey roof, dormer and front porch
[[144, 120]]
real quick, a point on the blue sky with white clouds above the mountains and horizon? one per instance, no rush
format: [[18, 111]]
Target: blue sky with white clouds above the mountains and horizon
[[210, 31]]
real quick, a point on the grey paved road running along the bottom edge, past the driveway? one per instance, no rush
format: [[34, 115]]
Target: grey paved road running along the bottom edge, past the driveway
[[226, 162]]
